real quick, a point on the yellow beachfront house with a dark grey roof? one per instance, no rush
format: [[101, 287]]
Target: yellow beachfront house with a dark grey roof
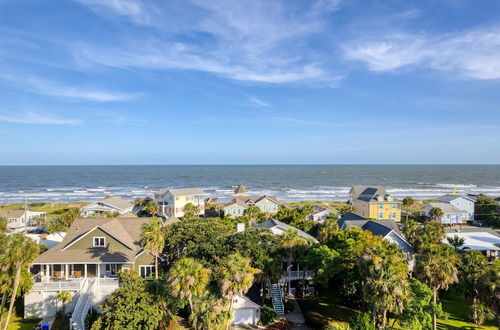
[[375, 203]]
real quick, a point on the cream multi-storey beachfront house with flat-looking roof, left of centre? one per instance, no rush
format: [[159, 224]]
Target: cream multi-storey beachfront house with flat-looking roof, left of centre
[[172, 202]]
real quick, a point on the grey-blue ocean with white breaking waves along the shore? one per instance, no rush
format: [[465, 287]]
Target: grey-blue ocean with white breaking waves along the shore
[[288, 182]]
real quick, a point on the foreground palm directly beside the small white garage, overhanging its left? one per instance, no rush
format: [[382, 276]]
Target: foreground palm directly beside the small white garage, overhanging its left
[[235, 276]]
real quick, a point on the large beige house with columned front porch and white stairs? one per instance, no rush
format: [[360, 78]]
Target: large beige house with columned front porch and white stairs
[[86, 263]]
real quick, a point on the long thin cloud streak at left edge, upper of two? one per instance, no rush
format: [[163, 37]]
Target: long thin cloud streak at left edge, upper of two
[[46, 87]]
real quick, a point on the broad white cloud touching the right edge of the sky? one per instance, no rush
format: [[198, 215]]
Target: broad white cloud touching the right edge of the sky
[[473, 54]]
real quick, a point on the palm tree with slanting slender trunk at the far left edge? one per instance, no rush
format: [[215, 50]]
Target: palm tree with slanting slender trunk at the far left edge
[[20, 252]]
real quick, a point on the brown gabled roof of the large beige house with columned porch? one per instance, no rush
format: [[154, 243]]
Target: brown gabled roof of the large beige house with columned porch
[[126, 230]]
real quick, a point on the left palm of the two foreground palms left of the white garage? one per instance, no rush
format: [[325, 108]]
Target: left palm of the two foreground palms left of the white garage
[[188, 278]]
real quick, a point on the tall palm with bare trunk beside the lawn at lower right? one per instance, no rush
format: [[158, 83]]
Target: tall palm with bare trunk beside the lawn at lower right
[[437, 267]]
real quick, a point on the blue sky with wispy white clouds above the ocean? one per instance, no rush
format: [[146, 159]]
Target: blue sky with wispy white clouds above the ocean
[[249, 82]]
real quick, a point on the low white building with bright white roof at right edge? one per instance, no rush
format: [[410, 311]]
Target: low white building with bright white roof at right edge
[[485, 240]]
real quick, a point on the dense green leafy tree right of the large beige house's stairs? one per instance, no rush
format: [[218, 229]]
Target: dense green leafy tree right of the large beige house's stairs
[[129, 307]]
